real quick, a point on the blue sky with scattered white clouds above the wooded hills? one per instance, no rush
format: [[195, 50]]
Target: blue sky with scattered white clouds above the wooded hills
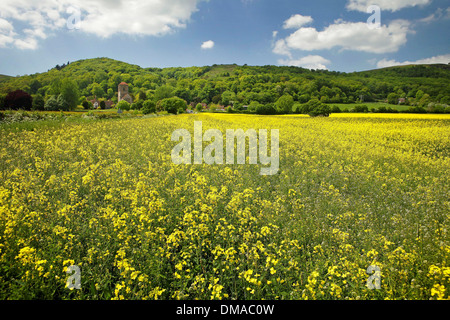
[[322, 34]]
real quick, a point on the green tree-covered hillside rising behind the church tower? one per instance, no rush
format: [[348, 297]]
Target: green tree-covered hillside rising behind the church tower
[[254, 86]]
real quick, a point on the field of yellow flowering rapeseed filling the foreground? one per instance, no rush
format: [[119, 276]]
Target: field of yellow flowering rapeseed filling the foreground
[[352, 192]]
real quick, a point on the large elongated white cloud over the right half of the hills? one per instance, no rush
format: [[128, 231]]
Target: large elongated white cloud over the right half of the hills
[[355, 36]]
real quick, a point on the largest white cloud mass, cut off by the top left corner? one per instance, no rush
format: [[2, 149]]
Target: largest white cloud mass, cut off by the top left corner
[[103, 18]]
